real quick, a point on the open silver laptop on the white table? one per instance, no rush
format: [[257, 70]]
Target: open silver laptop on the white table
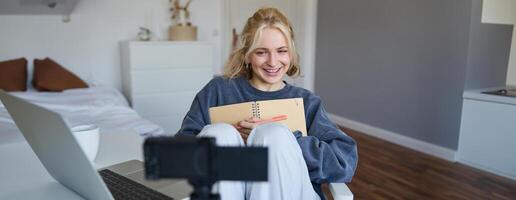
[[53, 143]]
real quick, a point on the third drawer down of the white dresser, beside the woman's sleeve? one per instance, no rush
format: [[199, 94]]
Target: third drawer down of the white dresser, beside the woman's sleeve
[[163, 104]]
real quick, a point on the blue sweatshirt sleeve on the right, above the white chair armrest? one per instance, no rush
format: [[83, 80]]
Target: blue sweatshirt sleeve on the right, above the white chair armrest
[[330, 154]]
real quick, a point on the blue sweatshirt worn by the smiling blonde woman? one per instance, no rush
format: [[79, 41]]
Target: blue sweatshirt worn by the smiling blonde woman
[[331, 155]]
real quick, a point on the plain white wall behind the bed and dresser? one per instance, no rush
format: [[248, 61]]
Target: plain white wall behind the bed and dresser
[[88, 45]]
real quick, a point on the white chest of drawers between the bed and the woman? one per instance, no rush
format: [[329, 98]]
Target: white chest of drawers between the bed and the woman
[[160, 79]]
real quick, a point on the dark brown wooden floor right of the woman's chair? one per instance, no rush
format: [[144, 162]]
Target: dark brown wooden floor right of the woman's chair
[[389, 171]]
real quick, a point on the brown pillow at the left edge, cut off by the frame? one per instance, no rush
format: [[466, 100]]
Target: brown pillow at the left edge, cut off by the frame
[[13, 75]]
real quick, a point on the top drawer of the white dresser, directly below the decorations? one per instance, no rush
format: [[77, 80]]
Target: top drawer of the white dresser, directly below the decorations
[[162, 55]]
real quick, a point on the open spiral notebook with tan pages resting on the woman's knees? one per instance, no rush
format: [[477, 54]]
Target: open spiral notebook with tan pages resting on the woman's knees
[[293, 109]]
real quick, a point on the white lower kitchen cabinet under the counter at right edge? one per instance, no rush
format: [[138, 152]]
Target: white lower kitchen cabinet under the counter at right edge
[[488, 133]]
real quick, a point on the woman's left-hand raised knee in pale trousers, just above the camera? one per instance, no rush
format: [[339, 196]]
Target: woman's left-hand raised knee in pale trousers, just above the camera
[[225, 134]]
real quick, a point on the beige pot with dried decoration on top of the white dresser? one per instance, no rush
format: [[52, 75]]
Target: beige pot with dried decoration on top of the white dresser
[[182, 29]]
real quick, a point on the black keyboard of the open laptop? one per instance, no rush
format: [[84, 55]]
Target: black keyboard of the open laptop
[[127, 189]]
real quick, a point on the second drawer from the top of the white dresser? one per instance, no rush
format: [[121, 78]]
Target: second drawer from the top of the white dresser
[[154, 81]]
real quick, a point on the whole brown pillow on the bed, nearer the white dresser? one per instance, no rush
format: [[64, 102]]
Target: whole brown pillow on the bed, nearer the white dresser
[[50, 76]]
